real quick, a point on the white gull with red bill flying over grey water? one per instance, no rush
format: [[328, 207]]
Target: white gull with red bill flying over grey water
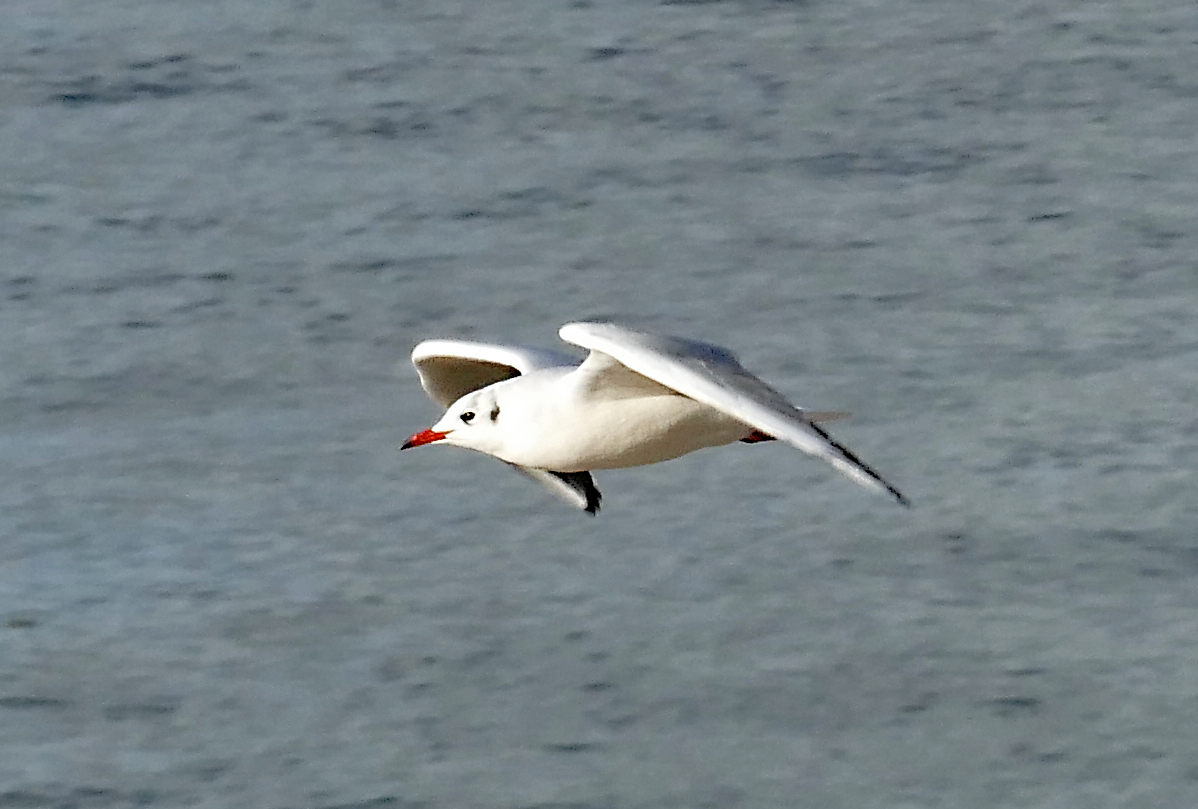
[[637, 400]]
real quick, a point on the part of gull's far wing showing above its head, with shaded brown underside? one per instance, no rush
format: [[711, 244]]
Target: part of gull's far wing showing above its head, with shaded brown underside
[[450, 370]]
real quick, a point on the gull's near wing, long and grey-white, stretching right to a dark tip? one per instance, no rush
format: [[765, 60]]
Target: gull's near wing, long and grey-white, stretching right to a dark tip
[[712, 376]]
